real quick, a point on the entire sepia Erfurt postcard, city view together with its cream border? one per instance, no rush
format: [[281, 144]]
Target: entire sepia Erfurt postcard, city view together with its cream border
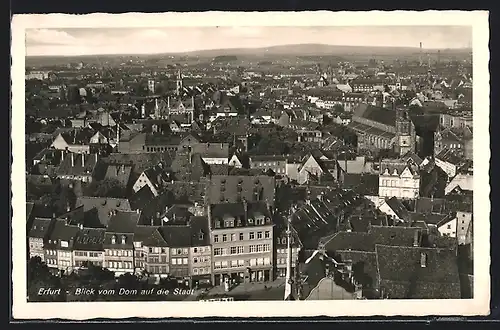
[[252, 161]]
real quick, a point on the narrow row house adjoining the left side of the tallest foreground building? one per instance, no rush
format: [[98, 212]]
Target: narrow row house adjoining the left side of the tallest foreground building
[[200, 267]]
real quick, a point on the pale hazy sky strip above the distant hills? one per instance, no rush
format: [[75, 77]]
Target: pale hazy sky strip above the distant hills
[[93, 41]]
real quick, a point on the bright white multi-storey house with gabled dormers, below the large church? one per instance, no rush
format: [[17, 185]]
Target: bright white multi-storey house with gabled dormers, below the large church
[[398, 179]]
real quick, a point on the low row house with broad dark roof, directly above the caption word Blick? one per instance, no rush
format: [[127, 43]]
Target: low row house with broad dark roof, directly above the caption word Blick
[[87, 247]]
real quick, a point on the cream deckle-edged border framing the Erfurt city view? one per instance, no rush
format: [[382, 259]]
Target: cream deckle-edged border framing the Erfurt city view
[[80, 311]]
